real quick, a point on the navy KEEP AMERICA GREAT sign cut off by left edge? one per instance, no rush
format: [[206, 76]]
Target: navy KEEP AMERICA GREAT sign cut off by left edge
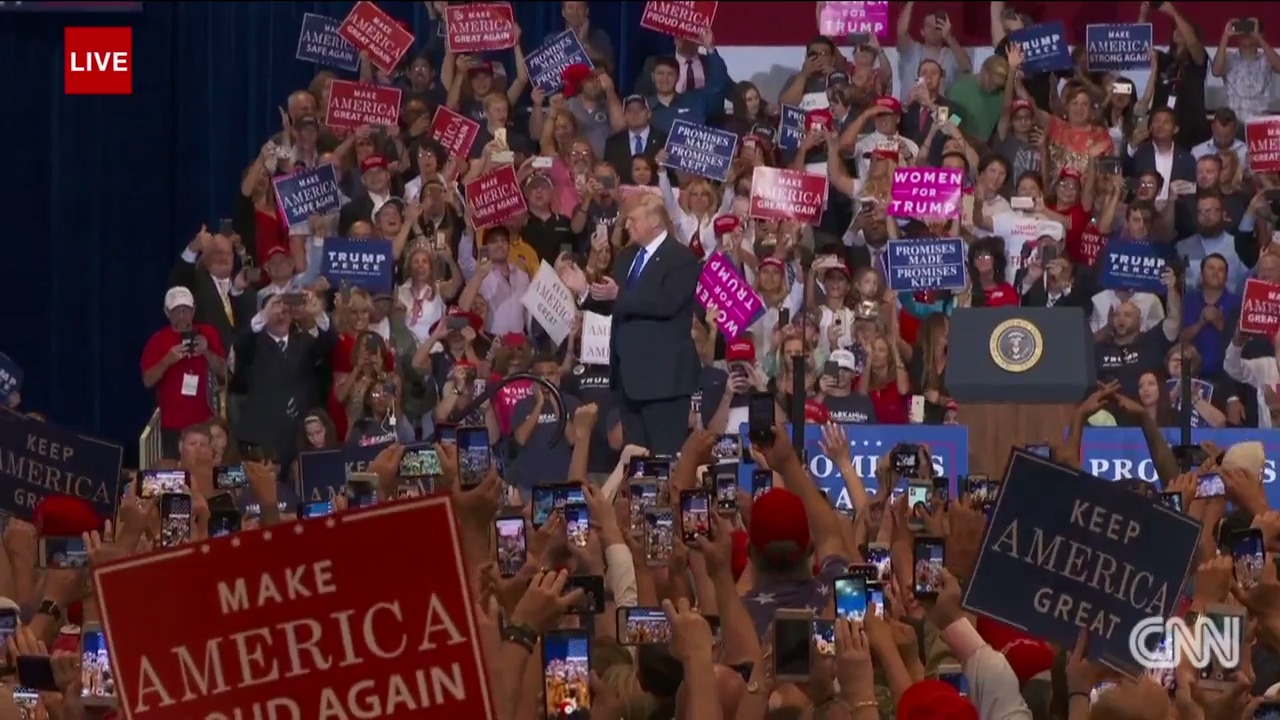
[[39, 461]]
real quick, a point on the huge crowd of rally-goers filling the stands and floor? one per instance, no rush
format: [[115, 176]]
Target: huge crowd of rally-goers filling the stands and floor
[[264, 359]]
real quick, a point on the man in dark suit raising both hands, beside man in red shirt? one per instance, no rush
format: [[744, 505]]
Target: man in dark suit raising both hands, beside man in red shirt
[[277, 370]]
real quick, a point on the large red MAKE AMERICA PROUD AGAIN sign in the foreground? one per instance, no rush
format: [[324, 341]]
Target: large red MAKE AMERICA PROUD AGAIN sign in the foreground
[[299, 623]]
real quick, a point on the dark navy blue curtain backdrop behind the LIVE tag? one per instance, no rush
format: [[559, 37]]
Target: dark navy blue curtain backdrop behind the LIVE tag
[[103, 193]]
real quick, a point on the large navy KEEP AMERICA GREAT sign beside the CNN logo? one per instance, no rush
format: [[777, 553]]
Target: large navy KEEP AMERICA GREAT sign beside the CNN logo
[[1089, 554]]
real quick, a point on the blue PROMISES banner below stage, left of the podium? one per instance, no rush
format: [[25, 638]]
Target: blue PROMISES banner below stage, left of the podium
[[867, 444]]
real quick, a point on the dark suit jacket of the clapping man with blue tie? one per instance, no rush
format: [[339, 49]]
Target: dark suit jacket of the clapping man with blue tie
[[652, 356]]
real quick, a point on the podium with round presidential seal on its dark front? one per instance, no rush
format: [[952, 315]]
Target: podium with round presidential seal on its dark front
[[1018, 375]]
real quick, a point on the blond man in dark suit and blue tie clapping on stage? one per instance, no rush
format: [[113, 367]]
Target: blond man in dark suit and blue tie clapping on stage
[[653, 364]]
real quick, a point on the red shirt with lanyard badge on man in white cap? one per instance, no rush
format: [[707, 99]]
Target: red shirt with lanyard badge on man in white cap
[[179, 411]]
